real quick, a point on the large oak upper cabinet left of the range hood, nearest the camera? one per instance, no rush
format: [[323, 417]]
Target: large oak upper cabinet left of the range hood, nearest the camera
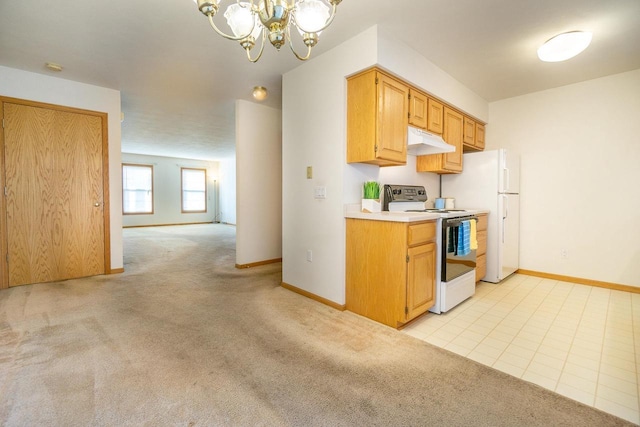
[[377, 109]]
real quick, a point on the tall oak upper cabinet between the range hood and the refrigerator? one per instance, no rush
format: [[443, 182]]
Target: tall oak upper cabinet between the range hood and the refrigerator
[[453, 134]]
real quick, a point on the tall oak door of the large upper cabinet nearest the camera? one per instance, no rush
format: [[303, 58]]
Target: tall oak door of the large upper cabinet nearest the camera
[[393, 100]]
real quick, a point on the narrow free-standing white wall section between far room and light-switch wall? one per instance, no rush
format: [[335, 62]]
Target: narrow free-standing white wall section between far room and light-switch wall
[[259, 183]]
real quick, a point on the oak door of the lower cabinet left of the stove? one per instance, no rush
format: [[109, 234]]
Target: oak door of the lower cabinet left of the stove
[[421, 279]]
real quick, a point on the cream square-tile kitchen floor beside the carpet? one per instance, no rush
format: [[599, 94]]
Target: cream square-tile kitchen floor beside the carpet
[[579, 341]]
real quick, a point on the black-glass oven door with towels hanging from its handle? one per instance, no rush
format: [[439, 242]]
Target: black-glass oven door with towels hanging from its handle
[[455, 262]]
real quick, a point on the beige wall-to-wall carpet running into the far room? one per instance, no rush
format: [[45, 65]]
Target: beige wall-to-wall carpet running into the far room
[[184, 338]]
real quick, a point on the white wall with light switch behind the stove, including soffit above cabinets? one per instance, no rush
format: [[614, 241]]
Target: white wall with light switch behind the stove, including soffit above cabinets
[[314, 134]]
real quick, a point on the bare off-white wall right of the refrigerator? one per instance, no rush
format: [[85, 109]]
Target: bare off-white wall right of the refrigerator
[[580, 160]]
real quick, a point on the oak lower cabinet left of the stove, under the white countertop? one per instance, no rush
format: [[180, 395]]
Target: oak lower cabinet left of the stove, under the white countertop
[[390, 269]]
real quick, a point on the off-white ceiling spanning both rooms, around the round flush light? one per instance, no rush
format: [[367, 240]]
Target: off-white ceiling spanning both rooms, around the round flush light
[[179, 80]]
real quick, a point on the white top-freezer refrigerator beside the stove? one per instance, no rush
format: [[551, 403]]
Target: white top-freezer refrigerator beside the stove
[[490, 180]]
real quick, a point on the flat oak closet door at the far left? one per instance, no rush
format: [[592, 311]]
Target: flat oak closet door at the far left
[[54, 194]]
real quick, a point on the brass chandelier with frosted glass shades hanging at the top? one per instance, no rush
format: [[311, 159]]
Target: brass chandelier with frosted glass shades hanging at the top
[[251, 20]]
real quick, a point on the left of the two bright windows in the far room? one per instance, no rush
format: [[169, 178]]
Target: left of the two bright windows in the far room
[[137, 189]]
